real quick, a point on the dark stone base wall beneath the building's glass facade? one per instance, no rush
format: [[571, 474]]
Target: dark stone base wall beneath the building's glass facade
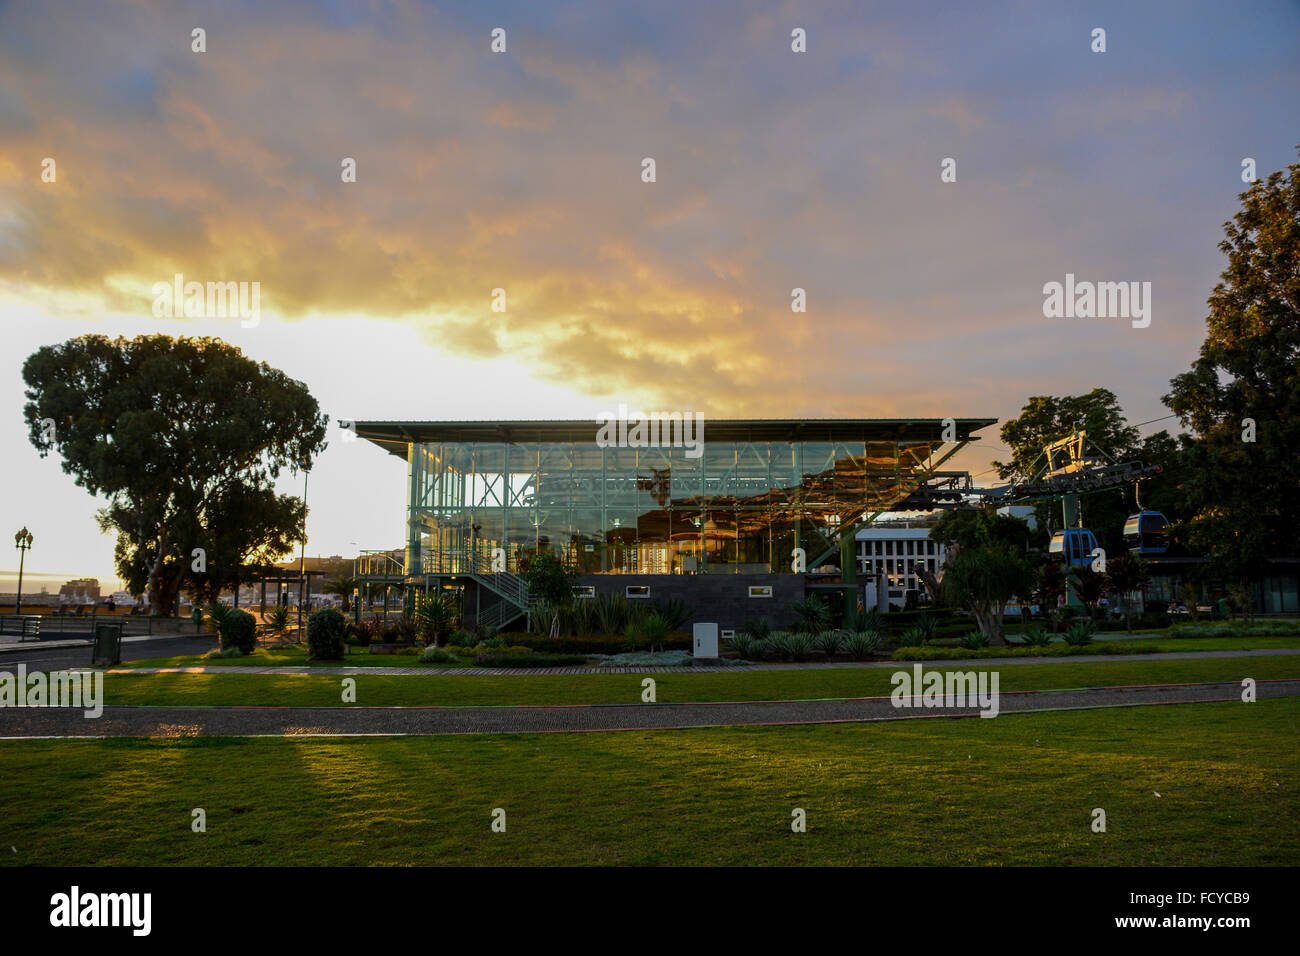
[[713, 599]]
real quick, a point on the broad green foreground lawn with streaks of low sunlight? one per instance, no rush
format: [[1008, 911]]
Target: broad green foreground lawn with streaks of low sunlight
[[1015, 791]]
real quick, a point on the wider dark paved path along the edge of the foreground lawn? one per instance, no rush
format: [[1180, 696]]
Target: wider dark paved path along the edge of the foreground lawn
[[175, 723]]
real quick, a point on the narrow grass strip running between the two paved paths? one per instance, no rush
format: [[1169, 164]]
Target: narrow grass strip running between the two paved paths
[[450, 690]]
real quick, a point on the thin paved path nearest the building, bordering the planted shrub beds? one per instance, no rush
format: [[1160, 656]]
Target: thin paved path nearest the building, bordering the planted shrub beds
[[729, 668]]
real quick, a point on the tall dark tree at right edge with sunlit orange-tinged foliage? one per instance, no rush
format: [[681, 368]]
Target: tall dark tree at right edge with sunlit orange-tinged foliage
[[1242, 396]]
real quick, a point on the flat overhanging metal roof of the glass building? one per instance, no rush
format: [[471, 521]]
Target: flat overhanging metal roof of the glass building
[[395, 436]]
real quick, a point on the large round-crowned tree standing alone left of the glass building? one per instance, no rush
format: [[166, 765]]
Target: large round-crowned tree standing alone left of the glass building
[[185, 438]]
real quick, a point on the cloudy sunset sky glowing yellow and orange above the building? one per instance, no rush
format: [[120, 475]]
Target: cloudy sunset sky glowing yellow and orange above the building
[[522, 171]]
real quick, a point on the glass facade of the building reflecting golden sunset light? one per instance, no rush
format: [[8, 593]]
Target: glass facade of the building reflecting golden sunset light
[[738, 507]]
